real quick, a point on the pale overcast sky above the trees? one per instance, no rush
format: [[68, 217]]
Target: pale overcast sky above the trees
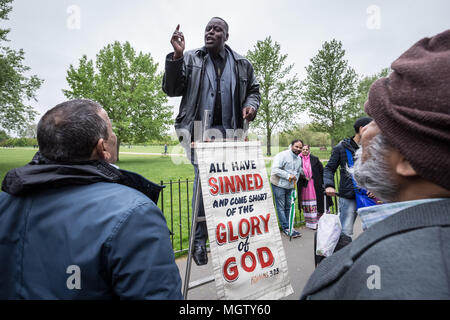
[[56, 33]]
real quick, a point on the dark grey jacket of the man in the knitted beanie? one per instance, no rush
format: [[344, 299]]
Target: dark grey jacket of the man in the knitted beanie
[[405, 256]]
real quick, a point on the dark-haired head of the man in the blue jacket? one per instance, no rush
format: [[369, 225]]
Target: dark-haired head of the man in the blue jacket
[[77, 130]]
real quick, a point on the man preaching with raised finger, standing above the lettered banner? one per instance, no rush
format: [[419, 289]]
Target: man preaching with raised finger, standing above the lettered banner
[[219, 91]]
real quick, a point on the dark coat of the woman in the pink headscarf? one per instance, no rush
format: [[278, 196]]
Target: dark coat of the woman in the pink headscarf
[[317, 175]]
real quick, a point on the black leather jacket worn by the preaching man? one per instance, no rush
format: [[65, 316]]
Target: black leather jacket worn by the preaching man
[[183, 77]]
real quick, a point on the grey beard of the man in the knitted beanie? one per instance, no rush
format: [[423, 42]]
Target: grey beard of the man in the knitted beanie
[[374, 174]]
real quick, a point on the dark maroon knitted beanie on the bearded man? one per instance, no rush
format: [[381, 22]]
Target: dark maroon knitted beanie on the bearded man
[[412, 107]]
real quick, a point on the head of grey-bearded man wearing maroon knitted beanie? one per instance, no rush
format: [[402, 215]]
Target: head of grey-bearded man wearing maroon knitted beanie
[[405, 152]]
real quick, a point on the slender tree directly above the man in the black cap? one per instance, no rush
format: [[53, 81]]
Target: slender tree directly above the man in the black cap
[[327, 89]]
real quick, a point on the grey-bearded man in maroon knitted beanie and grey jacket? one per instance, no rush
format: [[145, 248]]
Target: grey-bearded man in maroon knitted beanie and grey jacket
[[404, 160]]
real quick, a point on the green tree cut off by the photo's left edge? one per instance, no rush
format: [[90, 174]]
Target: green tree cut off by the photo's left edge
[[16, 89]]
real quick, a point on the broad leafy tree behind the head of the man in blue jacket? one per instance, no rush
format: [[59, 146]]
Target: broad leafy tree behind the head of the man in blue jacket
[[128, 86]]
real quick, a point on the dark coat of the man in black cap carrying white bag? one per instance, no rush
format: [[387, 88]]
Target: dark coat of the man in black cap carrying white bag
[[338, 158]]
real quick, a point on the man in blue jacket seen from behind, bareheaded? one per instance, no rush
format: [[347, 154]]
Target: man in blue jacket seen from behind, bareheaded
[[73, 226]]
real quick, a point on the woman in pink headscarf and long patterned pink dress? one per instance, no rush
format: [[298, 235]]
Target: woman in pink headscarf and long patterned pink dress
[[312, 203]]
